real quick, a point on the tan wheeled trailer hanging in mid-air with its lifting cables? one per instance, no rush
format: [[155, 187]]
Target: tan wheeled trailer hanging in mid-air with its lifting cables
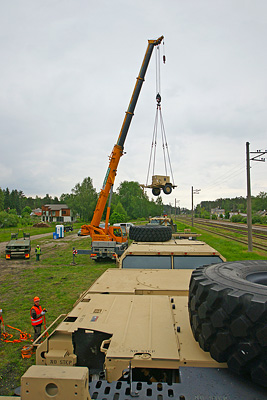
[[159, 182]]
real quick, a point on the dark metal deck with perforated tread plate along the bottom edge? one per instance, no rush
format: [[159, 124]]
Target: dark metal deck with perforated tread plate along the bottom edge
[[196, 384]]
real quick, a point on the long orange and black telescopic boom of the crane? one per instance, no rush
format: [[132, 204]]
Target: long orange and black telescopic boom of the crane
[[117, 151]]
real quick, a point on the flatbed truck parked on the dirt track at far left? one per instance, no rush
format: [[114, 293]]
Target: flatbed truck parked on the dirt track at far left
[[18, 247]]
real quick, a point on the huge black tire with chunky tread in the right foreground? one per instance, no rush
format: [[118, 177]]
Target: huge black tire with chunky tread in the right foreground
[[228, 315]]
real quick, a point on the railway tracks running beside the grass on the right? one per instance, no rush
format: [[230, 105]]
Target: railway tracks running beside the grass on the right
[[259, 234]]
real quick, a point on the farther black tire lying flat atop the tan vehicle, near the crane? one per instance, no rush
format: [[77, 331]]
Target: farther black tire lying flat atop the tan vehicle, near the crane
[[146, 233]]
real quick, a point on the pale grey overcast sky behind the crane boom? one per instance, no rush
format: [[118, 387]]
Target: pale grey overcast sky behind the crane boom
[[67, 72]]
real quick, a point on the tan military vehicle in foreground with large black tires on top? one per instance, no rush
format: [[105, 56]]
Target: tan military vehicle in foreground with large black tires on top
[[135, 331]]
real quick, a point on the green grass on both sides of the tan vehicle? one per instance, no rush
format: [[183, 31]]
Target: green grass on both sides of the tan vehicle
[[59, 283]]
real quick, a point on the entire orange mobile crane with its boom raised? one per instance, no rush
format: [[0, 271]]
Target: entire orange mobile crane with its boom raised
[[112, 241]]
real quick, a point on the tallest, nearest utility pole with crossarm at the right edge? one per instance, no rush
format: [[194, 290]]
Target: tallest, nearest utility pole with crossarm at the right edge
[[259, 153]]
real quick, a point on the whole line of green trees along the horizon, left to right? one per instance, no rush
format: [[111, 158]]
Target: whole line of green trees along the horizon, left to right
[[129, 202]]
